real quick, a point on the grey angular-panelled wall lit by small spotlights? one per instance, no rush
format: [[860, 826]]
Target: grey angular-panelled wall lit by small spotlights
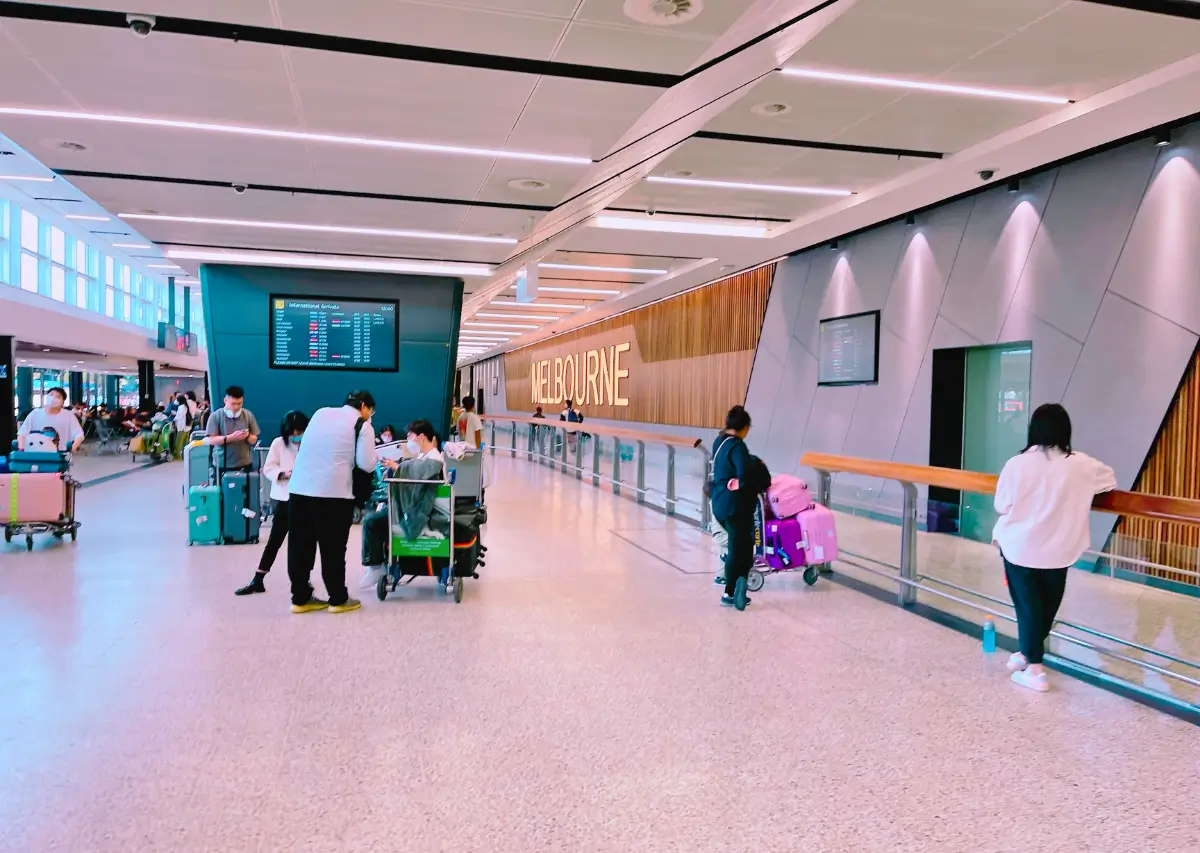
[[1097, 263]]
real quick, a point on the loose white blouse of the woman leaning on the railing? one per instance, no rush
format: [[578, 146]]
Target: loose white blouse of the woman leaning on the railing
[[1045, 498]]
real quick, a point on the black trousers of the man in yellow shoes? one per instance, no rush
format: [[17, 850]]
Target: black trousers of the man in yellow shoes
[[321, 524]]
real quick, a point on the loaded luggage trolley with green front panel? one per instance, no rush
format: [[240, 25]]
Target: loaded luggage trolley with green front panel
[[452, 560]]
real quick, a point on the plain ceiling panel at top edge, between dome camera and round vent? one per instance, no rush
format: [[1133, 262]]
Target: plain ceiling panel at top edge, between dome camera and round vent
[[434, 25]]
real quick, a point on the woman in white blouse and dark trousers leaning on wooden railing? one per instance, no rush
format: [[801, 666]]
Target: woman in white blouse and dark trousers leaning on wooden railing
[[1045, 501]]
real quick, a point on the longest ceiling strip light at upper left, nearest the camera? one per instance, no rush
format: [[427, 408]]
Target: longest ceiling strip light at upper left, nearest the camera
[[299, 136]]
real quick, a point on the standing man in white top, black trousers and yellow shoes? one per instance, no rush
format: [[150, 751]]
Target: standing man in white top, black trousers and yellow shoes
[[322, 491]]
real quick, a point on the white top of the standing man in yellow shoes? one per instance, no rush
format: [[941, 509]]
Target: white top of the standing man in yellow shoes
[[328, 454]]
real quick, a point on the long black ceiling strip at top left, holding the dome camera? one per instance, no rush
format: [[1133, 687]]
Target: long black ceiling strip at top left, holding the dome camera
[[319, 41]]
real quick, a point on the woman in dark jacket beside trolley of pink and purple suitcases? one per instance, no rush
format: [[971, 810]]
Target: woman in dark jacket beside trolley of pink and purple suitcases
[[739, 479]]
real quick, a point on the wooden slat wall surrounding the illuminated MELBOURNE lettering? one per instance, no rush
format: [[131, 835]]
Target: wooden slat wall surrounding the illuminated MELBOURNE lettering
[[697, 352]]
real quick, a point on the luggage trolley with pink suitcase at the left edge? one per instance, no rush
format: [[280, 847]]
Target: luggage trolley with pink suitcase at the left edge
[[44, 486]]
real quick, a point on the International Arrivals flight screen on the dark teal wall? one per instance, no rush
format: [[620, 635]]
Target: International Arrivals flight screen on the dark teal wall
[[319, 333]]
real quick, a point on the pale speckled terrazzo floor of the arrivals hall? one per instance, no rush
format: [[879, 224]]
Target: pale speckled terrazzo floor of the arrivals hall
[[587, 695]]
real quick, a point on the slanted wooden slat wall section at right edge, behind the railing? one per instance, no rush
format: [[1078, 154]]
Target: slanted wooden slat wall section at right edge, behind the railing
[[1173, 468]]
